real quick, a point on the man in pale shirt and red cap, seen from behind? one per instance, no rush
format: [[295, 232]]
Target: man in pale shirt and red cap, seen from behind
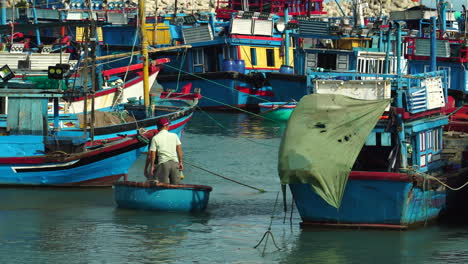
[[166, 151]]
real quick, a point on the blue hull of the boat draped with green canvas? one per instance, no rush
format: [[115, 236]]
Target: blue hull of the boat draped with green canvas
[[374, 200]]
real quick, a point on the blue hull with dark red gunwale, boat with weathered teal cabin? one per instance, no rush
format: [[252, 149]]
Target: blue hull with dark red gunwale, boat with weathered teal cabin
[[99, 167]]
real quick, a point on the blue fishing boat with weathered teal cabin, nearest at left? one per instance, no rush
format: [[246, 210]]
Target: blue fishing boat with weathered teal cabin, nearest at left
[[34, 154]]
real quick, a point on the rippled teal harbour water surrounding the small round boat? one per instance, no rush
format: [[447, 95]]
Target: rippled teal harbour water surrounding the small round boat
[[84, 226]]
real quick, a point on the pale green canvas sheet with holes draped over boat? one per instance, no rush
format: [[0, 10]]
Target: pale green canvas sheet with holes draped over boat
[[323, 139]]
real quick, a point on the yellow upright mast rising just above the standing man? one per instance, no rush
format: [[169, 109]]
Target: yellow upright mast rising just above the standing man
[[144, 51]]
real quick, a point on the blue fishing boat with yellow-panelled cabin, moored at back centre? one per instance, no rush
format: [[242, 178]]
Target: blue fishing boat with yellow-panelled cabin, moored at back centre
[[233, 50]]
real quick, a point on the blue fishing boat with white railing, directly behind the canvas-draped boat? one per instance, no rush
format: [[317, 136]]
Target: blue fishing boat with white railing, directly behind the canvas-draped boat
[[335, 44]]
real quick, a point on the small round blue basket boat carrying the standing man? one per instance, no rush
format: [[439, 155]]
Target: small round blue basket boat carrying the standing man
[[161, 196]]
